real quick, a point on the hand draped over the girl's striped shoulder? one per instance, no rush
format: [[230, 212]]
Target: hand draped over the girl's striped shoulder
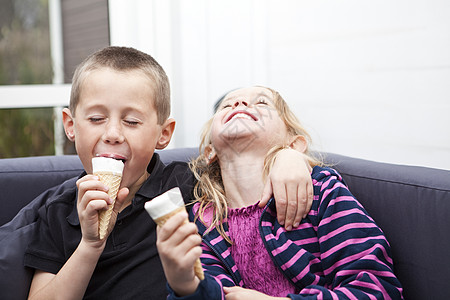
[[291, 185]]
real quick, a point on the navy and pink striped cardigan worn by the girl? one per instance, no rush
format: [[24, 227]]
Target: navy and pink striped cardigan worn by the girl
[[337, 252]]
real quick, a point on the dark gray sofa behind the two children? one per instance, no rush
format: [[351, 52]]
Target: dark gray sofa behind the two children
[[410, 204]]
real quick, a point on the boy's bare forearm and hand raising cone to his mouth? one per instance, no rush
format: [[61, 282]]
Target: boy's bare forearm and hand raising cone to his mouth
[[73, 278]]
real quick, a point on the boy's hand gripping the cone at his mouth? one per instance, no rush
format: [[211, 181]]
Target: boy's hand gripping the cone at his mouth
[[93, 197]]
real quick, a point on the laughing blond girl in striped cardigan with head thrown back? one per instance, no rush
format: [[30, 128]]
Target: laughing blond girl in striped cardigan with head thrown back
[[336, 252]]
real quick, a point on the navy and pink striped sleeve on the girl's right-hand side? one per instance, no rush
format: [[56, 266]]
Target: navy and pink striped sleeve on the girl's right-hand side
[[354, 253]]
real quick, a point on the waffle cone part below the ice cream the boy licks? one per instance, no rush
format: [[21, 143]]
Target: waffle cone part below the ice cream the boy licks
[[104, 216]]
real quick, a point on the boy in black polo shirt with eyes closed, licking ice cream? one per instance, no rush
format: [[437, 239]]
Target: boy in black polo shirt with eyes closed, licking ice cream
[[119, 108]]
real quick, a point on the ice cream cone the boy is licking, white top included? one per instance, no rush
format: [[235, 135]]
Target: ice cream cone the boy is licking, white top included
[[110, 173]]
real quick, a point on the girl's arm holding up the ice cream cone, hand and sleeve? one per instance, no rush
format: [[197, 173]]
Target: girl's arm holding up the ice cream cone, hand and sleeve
[[179, 246]]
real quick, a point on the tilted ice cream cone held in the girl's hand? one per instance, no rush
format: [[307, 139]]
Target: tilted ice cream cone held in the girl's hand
[[163, 207]]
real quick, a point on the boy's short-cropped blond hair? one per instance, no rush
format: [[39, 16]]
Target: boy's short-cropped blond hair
[[125, 59]]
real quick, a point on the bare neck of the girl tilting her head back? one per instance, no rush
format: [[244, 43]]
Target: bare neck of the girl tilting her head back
[[242, 178]]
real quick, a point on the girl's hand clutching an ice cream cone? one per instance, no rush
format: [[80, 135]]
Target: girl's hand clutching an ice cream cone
[[178, 245]]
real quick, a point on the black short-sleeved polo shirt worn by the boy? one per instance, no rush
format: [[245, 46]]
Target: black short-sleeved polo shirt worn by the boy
[[129, 267]]
